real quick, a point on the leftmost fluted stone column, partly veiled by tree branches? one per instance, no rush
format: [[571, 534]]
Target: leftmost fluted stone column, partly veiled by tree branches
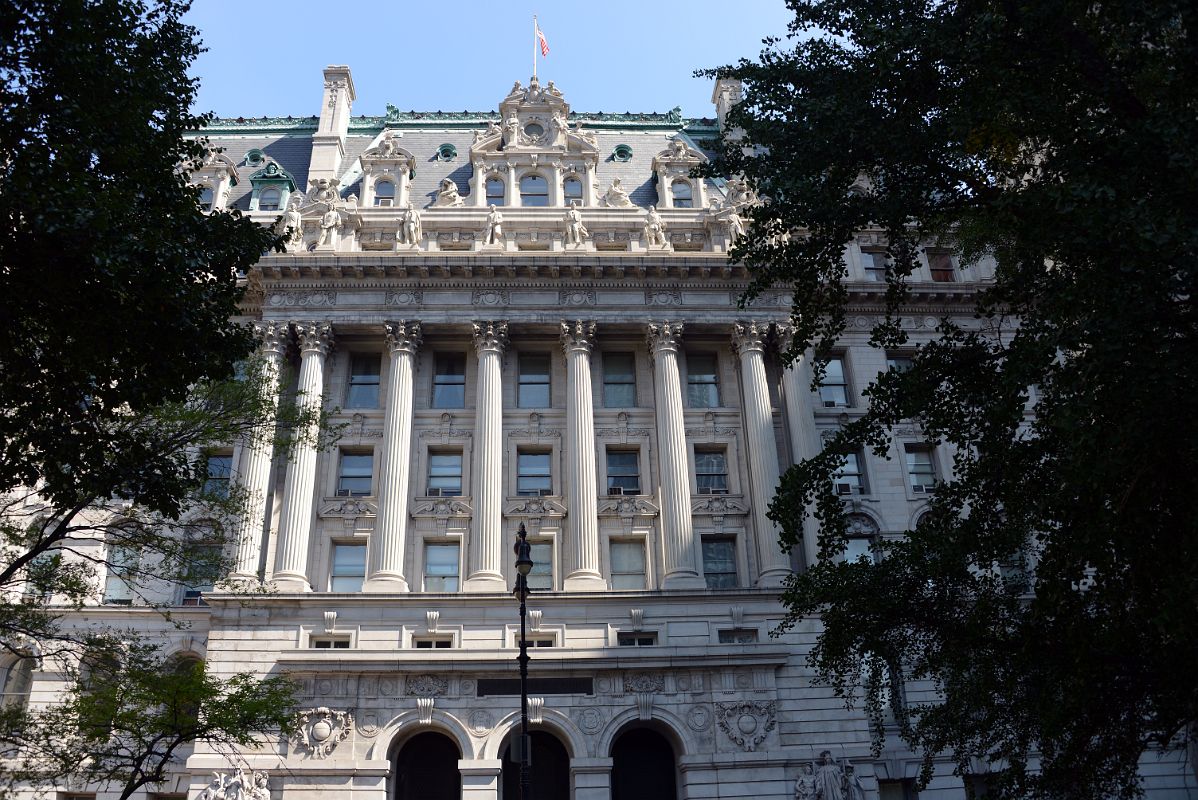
[[256, 463]]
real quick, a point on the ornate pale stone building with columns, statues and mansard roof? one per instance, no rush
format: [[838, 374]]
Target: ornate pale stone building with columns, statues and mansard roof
[[529, 318]]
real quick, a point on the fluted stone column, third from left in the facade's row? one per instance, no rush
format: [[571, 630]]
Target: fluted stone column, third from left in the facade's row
[[386, 571]]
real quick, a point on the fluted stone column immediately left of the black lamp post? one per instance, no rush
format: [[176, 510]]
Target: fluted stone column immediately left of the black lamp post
[[487, 541]]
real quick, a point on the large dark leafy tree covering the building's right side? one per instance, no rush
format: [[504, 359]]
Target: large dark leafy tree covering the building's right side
[[1049, 593]]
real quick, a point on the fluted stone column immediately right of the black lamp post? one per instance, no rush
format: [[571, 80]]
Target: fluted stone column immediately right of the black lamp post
[[582, 486]]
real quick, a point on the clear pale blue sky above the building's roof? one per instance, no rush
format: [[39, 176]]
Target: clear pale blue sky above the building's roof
[[265, 57]]
